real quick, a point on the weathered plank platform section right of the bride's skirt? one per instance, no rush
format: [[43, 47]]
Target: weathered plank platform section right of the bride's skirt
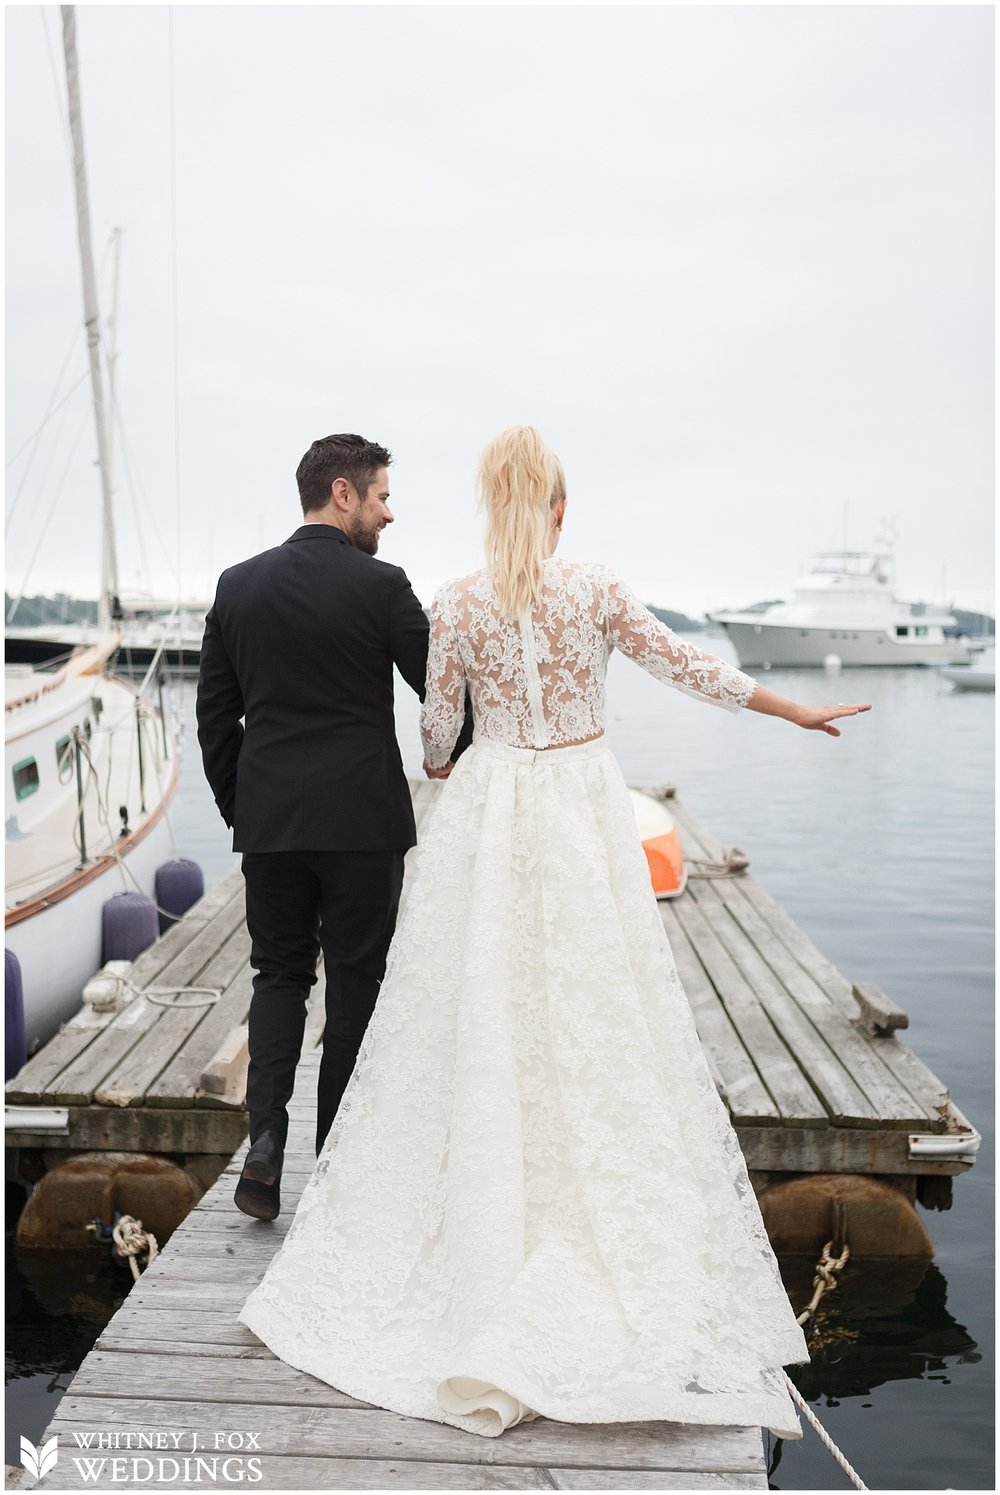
[[812, 1070]]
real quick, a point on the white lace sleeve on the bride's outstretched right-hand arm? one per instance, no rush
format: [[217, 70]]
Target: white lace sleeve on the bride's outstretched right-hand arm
[[660, 651]]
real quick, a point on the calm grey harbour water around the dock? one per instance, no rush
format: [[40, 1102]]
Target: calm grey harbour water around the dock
[[881, 847]]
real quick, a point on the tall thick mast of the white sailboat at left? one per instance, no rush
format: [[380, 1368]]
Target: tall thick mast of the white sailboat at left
[[92, 321]]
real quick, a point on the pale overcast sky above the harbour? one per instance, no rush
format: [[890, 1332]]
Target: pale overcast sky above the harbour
[[736, 264]]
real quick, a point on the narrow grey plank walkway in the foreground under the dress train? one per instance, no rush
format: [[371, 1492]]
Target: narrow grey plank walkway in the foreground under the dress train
[[174, 1361]]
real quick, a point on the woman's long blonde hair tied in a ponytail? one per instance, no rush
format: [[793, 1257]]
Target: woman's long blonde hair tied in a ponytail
[[521, 482]]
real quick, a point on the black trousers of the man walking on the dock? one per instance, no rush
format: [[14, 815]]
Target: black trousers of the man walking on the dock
[[298, 902]]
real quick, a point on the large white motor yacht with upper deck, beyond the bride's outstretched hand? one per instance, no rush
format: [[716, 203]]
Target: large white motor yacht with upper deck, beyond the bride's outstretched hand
[[844, 606]]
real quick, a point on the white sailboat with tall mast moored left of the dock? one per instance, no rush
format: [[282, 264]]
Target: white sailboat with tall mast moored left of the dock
[[92, 762]]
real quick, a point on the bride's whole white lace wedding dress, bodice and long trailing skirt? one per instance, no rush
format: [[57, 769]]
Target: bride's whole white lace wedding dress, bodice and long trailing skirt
[[531, 1201]]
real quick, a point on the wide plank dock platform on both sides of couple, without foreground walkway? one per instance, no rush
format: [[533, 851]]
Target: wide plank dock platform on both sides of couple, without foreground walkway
[[812, 1068]]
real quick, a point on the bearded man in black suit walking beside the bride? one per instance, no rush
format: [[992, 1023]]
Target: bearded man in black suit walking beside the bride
[[301, 645]]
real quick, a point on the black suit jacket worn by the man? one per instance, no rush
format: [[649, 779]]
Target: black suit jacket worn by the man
[[301, 642]]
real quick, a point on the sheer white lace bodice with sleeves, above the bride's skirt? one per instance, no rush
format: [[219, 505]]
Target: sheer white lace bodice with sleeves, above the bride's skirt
[[539, 681]]
